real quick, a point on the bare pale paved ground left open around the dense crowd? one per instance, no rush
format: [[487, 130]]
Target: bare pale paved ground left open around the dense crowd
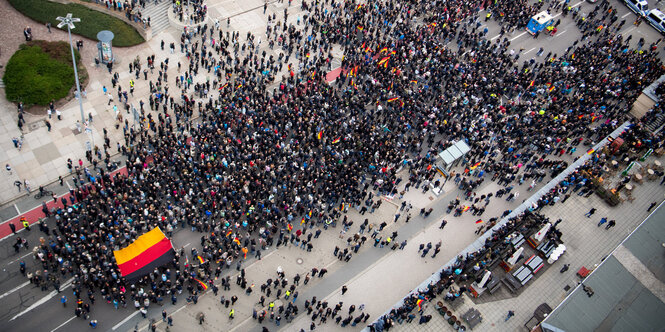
[[376, 277]]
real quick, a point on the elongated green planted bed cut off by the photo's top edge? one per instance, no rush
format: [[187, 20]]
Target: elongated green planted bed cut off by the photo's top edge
[[92, 21]]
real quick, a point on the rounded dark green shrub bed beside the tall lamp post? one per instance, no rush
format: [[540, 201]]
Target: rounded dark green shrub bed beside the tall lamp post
[[41, 71]]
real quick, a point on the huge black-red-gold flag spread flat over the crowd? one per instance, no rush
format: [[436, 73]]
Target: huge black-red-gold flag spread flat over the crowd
[[147, 252]]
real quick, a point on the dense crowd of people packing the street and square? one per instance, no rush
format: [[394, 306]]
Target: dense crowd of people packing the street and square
[[266, 150]]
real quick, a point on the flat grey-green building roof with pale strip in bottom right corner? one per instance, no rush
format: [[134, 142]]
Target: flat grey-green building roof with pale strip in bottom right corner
[[628, 287]]
